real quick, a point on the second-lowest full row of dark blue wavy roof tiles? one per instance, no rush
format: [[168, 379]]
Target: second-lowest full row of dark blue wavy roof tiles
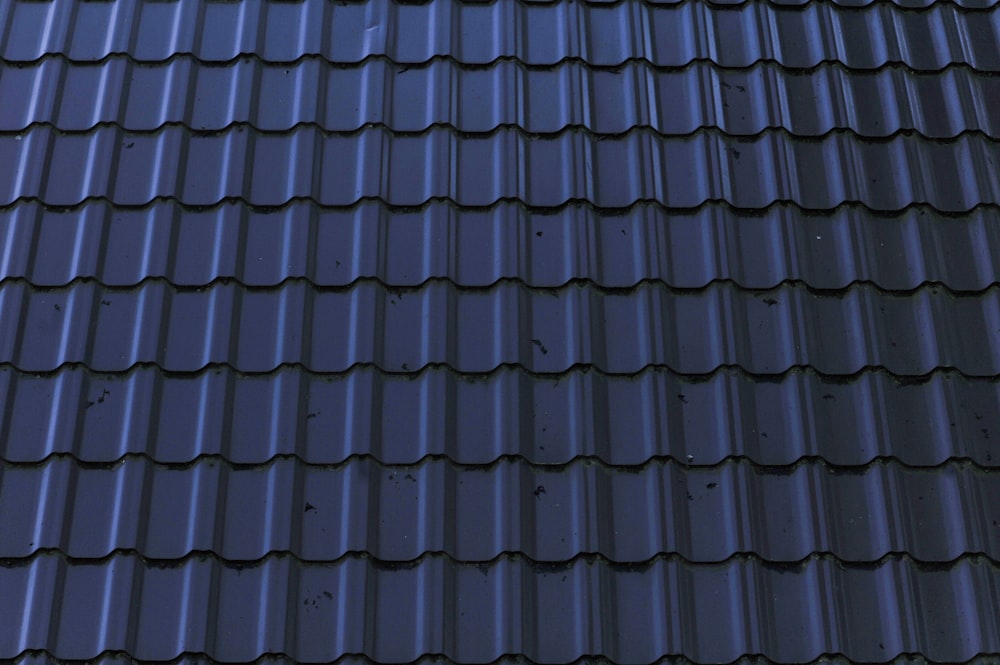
[[476, 515]]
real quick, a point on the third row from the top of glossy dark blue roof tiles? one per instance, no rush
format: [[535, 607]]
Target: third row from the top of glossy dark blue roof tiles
[[268, 169]]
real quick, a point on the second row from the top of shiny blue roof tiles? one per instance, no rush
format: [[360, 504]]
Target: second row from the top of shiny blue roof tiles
[[280, 97]]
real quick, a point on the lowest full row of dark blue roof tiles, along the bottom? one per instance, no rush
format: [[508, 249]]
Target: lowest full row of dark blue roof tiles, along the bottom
[[477, 614]]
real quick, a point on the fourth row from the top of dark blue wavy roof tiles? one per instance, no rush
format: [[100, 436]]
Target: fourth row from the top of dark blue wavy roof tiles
[[477, 248]]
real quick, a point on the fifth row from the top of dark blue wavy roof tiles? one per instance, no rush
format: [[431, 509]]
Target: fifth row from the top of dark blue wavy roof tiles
[[478, 331]]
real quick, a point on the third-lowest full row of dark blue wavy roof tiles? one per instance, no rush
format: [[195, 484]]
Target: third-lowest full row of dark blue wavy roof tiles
[[404, 418]]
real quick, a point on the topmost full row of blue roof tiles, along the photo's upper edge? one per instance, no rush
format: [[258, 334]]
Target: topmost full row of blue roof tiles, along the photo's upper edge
[[797, 34]]
